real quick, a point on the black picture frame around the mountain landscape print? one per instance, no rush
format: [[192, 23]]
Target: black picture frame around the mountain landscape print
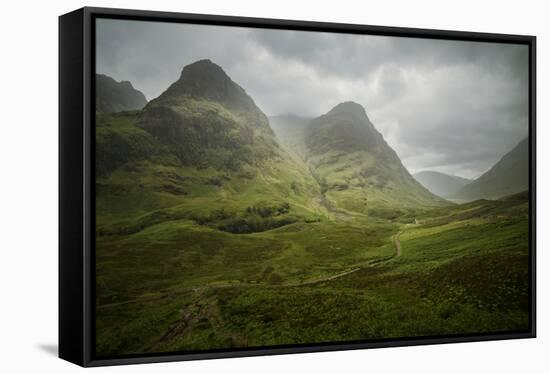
[[76, 176]]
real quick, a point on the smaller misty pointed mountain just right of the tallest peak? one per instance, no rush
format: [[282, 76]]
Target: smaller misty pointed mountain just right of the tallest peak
[[357, 169]]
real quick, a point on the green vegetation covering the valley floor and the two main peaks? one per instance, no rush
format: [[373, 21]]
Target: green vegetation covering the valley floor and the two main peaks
[[284, 246]]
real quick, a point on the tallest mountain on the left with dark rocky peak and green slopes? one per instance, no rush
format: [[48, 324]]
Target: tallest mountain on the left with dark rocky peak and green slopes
[[202, 151]]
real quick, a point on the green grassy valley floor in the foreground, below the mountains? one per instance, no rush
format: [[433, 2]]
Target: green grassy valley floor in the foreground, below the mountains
[[182, 286]]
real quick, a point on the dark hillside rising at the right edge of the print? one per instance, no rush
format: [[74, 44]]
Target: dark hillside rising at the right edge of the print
[[508, 176]]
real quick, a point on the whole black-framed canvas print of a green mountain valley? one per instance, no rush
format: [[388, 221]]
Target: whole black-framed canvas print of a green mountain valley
[[236, 186]]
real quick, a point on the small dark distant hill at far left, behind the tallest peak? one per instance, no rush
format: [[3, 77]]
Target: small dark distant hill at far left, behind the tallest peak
[[113, 96]]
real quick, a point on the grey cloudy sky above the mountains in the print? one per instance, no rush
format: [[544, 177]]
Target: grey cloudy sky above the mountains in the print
[[454, 107]]
